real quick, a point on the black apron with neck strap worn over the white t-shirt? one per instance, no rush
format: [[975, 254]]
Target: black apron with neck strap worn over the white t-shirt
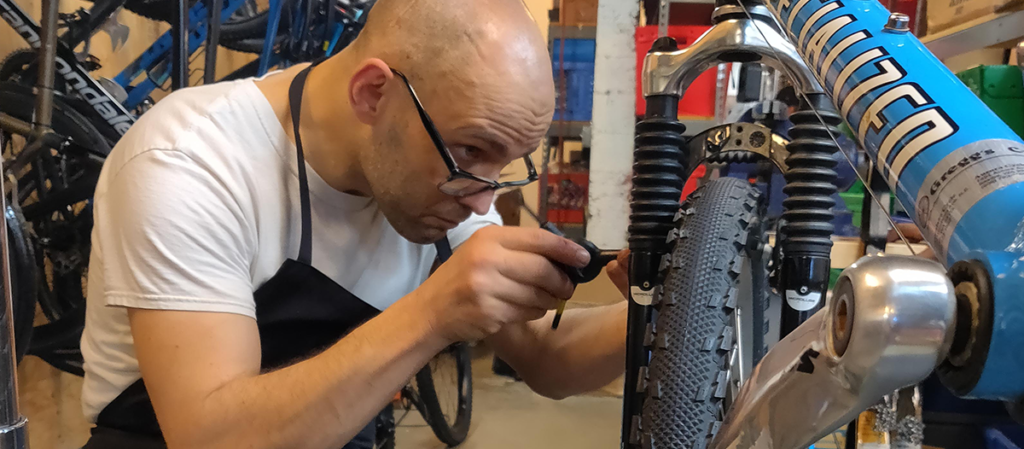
[[300, 313]]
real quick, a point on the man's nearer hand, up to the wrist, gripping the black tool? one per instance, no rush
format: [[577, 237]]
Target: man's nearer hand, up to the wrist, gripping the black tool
[[499, 276]]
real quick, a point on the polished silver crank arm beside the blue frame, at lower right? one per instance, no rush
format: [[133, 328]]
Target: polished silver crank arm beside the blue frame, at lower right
[[889, 322]]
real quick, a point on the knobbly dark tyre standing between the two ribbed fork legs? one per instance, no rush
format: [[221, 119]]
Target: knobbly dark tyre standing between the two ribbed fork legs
[[694, 341]]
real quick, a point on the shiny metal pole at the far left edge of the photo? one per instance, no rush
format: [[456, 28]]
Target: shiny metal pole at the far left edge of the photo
[[13, 425]]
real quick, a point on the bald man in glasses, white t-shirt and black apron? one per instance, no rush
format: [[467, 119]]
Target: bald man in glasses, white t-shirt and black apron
[[261, 259]]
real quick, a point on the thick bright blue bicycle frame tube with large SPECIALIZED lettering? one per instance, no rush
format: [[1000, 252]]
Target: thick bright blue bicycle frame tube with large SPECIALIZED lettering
[[955, 167]]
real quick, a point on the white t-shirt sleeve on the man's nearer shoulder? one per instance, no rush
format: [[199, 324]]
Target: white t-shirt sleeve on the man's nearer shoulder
[[174, 236]]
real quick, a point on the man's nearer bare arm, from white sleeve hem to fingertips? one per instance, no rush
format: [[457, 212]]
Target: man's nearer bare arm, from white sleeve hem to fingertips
[[202, 370]]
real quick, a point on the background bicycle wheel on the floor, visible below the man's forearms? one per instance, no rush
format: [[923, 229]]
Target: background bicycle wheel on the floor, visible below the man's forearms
[[446, 388]]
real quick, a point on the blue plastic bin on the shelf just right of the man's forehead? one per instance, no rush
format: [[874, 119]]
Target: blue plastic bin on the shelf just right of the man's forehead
[[579, 78]]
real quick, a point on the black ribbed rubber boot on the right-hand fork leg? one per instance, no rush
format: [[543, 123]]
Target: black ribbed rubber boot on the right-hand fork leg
[[807, 216]]
